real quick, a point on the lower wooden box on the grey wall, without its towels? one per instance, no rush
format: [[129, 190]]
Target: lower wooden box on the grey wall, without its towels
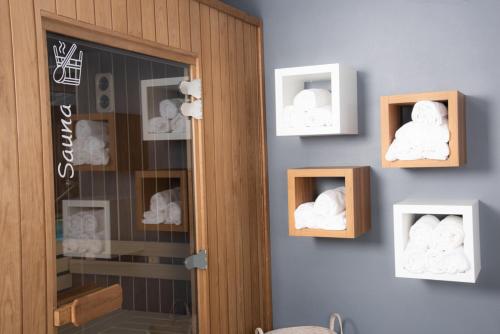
[[301, 189]]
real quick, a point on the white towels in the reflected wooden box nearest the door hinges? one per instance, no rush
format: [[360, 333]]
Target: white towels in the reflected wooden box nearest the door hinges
[[164, 208]]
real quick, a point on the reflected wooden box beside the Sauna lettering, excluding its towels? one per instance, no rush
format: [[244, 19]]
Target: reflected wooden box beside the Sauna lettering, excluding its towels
[[124, 143]]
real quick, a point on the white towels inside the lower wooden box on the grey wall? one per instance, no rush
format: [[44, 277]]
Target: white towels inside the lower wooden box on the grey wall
[[326, 213]]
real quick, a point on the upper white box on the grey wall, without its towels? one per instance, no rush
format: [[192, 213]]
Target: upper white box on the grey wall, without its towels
[[340, 80]]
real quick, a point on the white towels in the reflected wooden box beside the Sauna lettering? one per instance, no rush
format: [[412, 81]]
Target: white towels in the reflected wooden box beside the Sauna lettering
[[90, 145]]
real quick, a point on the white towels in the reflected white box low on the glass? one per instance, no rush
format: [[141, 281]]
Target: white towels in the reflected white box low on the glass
[[84, 233]]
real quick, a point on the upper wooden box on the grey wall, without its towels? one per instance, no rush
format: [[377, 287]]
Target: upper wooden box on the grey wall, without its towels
[[391, 120]]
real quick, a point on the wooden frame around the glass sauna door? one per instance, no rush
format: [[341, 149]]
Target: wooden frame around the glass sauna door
[[71, 28]]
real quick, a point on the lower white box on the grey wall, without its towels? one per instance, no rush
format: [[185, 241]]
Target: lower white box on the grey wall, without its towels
[[407, 212]]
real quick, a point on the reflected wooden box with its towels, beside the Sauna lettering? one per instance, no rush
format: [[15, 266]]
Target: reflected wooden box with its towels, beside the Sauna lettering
[[121, 134]]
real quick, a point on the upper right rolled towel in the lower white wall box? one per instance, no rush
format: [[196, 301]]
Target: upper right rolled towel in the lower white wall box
[[448, 234]]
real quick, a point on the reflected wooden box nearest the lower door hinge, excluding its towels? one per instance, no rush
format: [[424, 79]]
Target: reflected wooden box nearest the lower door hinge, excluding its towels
[[147, 183]]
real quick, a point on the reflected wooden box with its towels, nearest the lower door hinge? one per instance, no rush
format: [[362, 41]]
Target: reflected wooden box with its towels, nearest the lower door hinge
[[149, 183]]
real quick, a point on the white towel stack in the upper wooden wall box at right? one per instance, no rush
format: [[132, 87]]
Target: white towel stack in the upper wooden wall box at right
[[425, 137]]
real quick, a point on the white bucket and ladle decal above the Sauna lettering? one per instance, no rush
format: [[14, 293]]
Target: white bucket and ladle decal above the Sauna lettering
[[68, 69]]
